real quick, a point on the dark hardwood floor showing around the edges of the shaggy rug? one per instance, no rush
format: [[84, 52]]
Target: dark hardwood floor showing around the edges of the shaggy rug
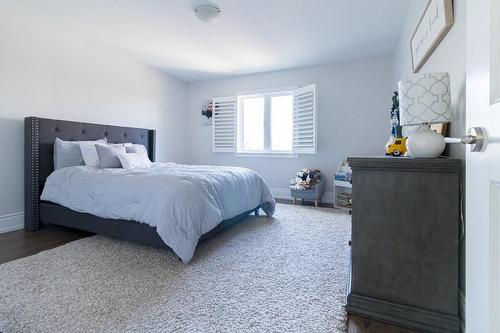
[[18, 244]]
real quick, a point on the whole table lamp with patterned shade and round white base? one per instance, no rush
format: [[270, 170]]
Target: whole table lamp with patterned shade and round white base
[[424, 100]]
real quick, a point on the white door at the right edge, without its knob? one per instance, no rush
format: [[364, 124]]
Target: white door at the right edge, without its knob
[[483, 168]]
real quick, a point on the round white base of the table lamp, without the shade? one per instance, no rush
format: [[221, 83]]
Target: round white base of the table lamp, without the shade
[[425, 142]]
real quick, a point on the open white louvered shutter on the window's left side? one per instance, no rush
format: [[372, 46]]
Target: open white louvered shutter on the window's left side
[[223, 124]]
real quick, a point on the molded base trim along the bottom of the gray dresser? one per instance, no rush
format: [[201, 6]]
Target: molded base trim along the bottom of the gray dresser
[[402, 315]]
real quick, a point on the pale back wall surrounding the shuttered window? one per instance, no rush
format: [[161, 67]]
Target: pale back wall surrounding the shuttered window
[[354, 99]]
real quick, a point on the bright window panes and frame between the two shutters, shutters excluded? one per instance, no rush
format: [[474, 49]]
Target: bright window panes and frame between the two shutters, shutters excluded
[[265, 123]]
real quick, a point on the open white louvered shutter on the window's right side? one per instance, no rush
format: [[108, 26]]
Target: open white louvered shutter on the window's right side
[[304, 120]]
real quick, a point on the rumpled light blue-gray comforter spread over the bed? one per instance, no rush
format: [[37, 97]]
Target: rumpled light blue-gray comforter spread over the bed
[[181, 201]]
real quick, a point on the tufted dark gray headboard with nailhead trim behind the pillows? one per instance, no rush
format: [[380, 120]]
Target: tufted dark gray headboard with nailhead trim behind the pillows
[[40, 134]]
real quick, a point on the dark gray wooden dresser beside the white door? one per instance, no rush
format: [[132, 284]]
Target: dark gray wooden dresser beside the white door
[[405, 236]]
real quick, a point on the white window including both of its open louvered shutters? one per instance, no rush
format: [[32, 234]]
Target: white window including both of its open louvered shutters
[[273, 122]]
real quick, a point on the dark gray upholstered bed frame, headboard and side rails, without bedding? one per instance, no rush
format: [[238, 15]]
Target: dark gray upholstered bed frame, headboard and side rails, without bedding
[[40, 134]]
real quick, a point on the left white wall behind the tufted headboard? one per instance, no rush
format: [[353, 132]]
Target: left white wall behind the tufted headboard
[[46, 73]]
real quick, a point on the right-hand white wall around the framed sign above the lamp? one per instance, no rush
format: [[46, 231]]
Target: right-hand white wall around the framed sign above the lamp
[[448, 57]]
